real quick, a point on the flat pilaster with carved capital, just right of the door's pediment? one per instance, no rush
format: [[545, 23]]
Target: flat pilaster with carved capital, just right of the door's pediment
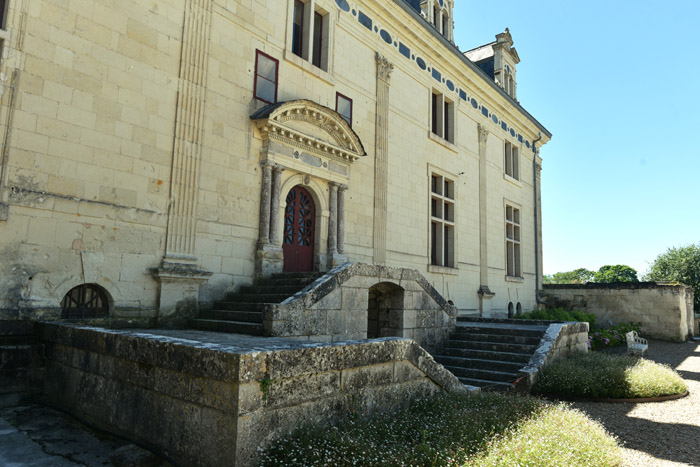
[[381, 159]]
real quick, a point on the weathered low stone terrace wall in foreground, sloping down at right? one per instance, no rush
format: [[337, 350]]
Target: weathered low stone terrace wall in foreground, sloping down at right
[[210, 404]]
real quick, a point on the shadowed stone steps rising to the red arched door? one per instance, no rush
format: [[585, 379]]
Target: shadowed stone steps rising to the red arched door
[[241, 312]]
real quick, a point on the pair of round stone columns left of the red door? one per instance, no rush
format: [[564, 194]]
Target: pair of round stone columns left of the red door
[[269, 258]]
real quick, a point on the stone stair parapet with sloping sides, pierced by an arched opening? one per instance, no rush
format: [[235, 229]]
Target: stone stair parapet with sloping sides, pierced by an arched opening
[[337, 307]]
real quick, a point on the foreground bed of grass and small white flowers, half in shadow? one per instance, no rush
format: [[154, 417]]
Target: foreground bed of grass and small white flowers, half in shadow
[[454, 430]]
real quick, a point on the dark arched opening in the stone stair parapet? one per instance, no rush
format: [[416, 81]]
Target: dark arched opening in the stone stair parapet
[[385, 310]]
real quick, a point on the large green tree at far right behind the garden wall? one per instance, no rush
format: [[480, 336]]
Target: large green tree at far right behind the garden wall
[[678, 265]]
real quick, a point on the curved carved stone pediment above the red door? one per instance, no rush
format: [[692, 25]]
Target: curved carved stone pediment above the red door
[[309, 126]]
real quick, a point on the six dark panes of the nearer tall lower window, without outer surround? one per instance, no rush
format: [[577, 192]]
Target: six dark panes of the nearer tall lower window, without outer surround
[[442, 221]]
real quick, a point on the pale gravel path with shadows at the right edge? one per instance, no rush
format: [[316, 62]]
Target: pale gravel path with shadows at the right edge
[[662, 433]]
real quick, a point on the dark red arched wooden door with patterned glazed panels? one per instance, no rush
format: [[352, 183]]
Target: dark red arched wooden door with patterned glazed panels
[[299, 220]]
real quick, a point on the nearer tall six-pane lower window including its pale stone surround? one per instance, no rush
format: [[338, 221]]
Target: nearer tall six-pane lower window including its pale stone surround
[[442, 222]]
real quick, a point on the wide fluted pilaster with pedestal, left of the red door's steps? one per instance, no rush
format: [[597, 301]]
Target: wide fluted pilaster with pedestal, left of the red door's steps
[[179, 276]]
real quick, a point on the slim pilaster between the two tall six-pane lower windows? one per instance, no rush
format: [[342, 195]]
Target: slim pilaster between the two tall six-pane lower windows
[[484, 291]]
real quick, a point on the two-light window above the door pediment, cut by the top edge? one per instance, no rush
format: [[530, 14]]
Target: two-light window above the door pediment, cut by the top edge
[[310, 33]]
